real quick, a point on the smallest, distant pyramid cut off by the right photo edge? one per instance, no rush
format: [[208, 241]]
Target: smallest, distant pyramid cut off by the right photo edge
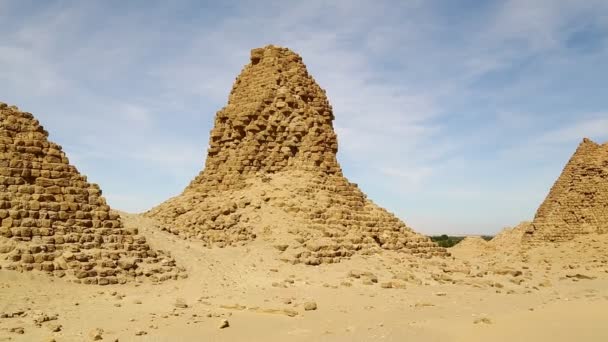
[[578, 201]]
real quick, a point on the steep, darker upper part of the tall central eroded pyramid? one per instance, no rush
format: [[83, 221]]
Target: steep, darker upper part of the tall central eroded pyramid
[[277, 118]]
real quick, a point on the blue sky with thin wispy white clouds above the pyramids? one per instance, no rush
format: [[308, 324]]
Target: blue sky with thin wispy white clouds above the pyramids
[[458, 116]]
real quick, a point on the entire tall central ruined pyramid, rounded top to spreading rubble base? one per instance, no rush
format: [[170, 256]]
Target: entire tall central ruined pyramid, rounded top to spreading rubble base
[[271, 173]]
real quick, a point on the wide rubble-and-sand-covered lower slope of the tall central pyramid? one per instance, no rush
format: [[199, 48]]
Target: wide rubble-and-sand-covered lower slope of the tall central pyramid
[[312, 218]]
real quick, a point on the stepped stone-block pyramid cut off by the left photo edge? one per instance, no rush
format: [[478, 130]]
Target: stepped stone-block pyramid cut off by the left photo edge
[[53, 220]]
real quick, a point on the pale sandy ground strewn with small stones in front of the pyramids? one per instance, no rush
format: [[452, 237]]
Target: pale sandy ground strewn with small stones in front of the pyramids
[[483, 293]]
